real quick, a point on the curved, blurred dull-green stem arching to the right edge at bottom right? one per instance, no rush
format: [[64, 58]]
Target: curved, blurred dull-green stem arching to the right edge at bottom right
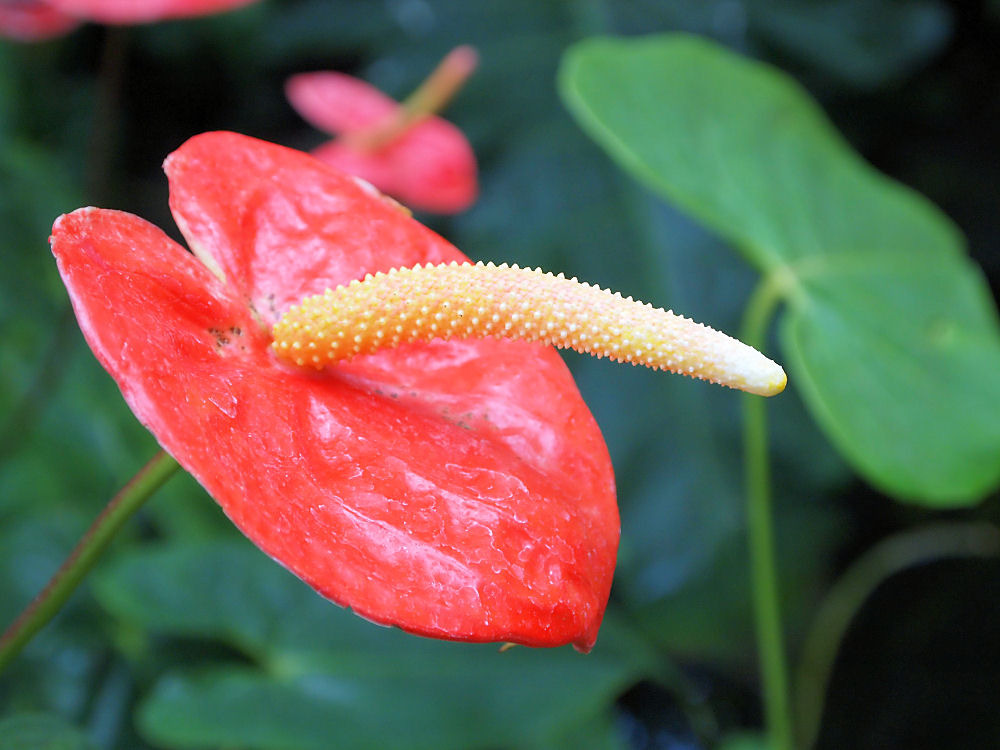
[[887, 558]]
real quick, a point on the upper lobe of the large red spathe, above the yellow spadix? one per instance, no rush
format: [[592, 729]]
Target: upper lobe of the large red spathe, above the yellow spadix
[[281, 224]]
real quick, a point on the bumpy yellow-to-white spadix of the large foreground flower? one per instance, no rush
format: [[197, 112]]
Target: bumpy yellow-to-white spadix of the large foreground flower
[[465, 301]]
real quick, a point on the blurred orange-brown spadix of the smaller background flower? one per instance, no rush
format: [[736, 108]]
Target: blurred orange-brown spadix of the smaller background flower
[[429, 98]]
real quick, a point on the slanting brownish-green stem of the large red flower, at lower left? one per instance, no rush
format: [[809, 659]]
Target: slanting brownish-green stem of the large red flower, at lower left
[[51, 599]]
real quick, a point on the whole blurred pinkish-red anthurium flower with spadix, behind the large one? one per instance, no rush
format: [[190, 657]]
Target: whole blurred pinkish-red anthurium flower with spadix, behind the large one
[[423, 161]]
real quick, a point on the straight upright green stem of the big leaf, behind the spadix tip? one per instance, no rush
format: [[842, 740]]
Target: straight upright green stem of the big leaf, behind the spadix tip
[[760, 531]]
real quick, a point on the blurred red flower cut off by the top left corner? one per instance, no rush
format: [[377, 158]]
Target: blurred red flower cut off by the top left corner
[[29, 20]]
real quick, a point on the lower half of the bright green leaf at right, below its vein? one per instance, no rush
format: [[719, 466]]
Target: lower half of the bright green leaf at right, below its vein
[[920, 342]]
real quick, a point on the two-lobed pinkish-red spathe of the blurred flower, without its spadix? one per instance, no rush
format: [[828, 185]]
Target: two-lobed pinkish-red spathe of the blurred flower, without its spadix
[[431, 167]]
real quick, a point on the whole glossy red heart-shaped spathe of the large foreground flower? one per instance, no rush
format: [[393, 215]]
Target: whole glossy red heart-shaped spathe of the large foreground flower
[[455, 489]]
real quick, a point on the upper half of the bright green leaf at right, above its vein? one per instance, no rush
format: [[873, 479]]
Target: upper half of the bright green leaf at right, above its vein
[[742, 148]]
